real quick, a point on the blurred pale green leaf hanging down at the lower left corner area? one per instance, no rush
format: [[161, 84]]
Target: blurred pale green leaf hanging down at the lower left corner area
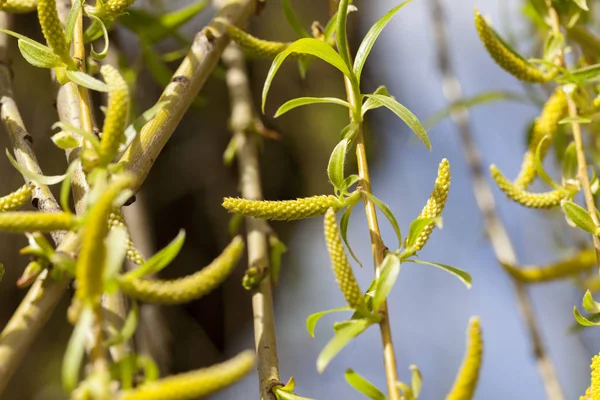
[[76, 349]]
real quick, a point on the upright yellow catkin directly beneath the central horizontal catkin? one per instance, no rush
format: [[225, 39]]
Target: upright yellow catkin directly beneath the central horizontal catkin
[[340, 264]]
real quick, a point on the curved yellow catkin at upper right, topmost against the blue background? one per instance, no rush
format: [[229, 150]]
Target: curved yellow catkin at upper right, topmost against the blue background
[[509, 61]]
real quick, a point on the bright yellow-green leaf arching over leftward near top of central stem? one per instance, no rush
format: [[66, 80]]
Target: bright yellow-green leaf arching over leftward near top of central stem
[[310, 46]]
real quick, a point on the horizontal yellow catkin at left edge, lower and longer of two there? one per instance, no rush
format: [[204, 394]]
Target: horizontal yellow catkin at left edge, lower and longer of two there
[[31, 221]]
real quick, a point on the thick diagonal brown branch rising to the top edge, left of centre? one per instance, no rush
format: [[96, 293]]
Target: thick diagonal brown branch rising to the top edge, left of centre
[[188, 80]]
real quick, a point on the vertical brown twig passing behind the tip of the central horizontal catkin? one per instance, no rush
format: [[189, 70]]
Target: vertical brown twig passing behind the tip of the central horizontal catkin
[[242, 120]]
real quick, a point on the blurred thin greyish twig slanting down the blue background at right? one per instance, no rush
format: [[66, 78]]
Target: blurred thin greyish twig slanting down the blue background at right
[[496, 232]]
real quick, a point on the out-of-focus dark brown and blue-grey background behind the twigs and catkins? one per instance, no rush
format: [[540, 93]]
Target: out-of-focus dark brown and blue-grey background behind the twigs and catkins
[[429, 309]]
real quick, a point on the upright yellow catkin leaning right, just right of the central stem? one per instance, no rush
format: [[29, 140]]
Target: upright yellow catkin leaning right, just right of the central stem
[[435, 204]]
